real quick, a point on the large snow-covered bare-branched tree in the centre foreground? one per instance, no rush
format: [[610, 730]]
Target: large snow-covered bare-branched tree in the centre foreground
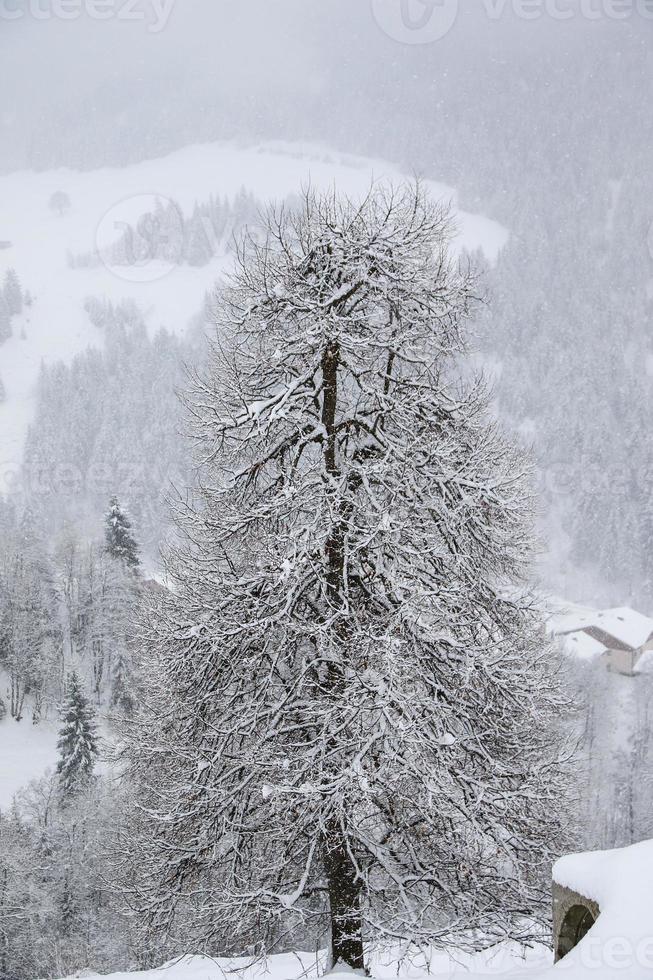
[[351, 726]]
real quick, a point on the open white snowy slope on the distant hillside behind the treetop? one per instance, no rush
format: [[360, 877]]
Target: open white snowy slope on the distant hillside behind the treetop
[[57, 327]]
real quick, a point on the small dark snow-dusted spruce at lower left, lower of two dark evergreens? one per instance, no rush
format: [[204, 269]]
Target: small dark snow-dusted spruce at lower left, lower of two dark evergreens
[[78, 741]]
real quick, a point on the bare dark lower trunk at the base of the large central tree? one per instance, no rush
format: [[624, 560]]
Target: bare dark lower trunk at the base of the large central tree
[[344, 901]]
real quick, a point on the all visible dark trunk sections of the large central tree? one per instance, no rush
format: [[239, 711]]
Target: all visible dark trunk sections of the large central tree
[[343, 882]]
